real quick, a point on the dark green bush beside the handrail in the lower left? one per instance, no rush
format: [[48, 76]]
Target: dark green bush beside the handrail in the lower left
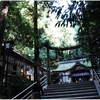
[[16, 85]]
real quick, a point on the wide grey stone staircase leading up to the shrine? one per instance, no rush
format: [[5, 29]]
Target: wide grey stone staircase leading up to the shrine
[[79, 90]]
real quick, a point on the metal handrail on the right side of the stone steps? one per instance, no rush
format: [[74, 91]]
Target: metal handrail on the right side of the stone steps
[[96, 81]]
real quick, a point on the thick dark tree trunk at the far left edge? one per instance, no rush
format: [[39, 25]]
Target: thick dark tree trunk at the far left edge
[[3, 13]]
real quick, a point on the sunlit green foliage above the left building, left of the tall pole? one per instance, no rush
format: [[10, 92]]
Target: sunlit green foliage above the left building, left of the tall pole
[[20, 27]]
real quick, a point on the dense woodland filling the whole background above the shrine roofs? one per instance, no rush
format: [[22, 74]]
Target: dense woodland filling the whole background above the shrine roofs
[[61, 26]]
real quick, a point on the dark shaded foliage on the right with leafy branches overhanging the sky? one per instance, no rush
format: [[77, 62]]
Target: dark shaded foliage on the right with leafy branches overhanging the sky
[[86, 15]]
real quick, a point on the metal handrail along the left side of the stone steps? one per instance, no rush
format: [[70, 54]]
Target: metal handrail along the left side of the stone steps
[[27, 93]]
